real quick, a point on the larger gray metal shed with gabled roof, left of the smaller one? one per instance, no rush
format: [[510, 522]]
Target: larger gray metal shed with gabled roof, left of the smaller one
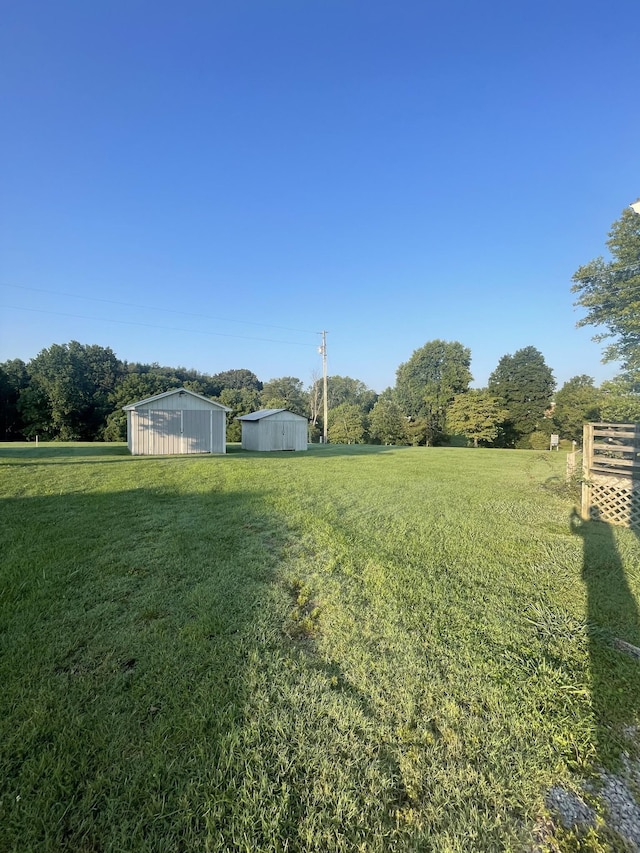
[[178, 421]]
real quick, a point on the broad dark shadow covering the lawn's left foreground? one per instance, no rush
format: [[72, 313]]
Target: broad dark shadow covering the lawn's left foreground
[[128, 621]]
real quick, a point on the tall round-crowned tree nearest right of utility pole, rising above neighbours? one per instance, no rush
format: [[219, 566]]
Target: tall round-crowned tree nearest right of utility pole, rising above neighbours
[[428, 382]]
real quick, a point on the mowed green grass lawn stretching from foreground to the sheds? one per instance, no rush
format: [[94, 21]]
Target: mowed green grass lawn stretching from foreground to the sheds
[[349, 649]]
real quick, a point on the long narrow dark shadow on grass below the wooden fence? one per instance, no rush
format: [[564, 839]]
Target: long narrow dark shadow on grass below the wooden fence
[[612, 616]]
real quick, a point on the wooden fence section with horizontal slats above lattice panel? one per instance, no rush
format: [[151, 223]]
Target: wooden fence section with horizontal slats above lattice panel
[[611, 473]]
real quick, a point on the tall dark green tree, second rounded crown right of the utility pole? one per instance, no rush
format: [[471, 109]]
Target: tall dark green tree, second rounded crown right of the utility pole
[[524, 385]]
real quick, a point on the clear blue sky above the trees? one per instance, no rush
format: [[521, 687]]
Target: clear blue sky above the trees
[[210, 184]]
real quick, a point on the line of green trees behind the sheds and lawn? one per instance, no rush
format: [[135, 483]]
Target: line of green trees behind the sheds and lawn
[[75, 392]]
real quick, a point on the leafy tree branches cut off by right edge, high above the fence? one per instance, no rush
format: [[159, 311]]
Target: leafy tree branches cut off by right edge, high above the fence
[[609, 290]]
